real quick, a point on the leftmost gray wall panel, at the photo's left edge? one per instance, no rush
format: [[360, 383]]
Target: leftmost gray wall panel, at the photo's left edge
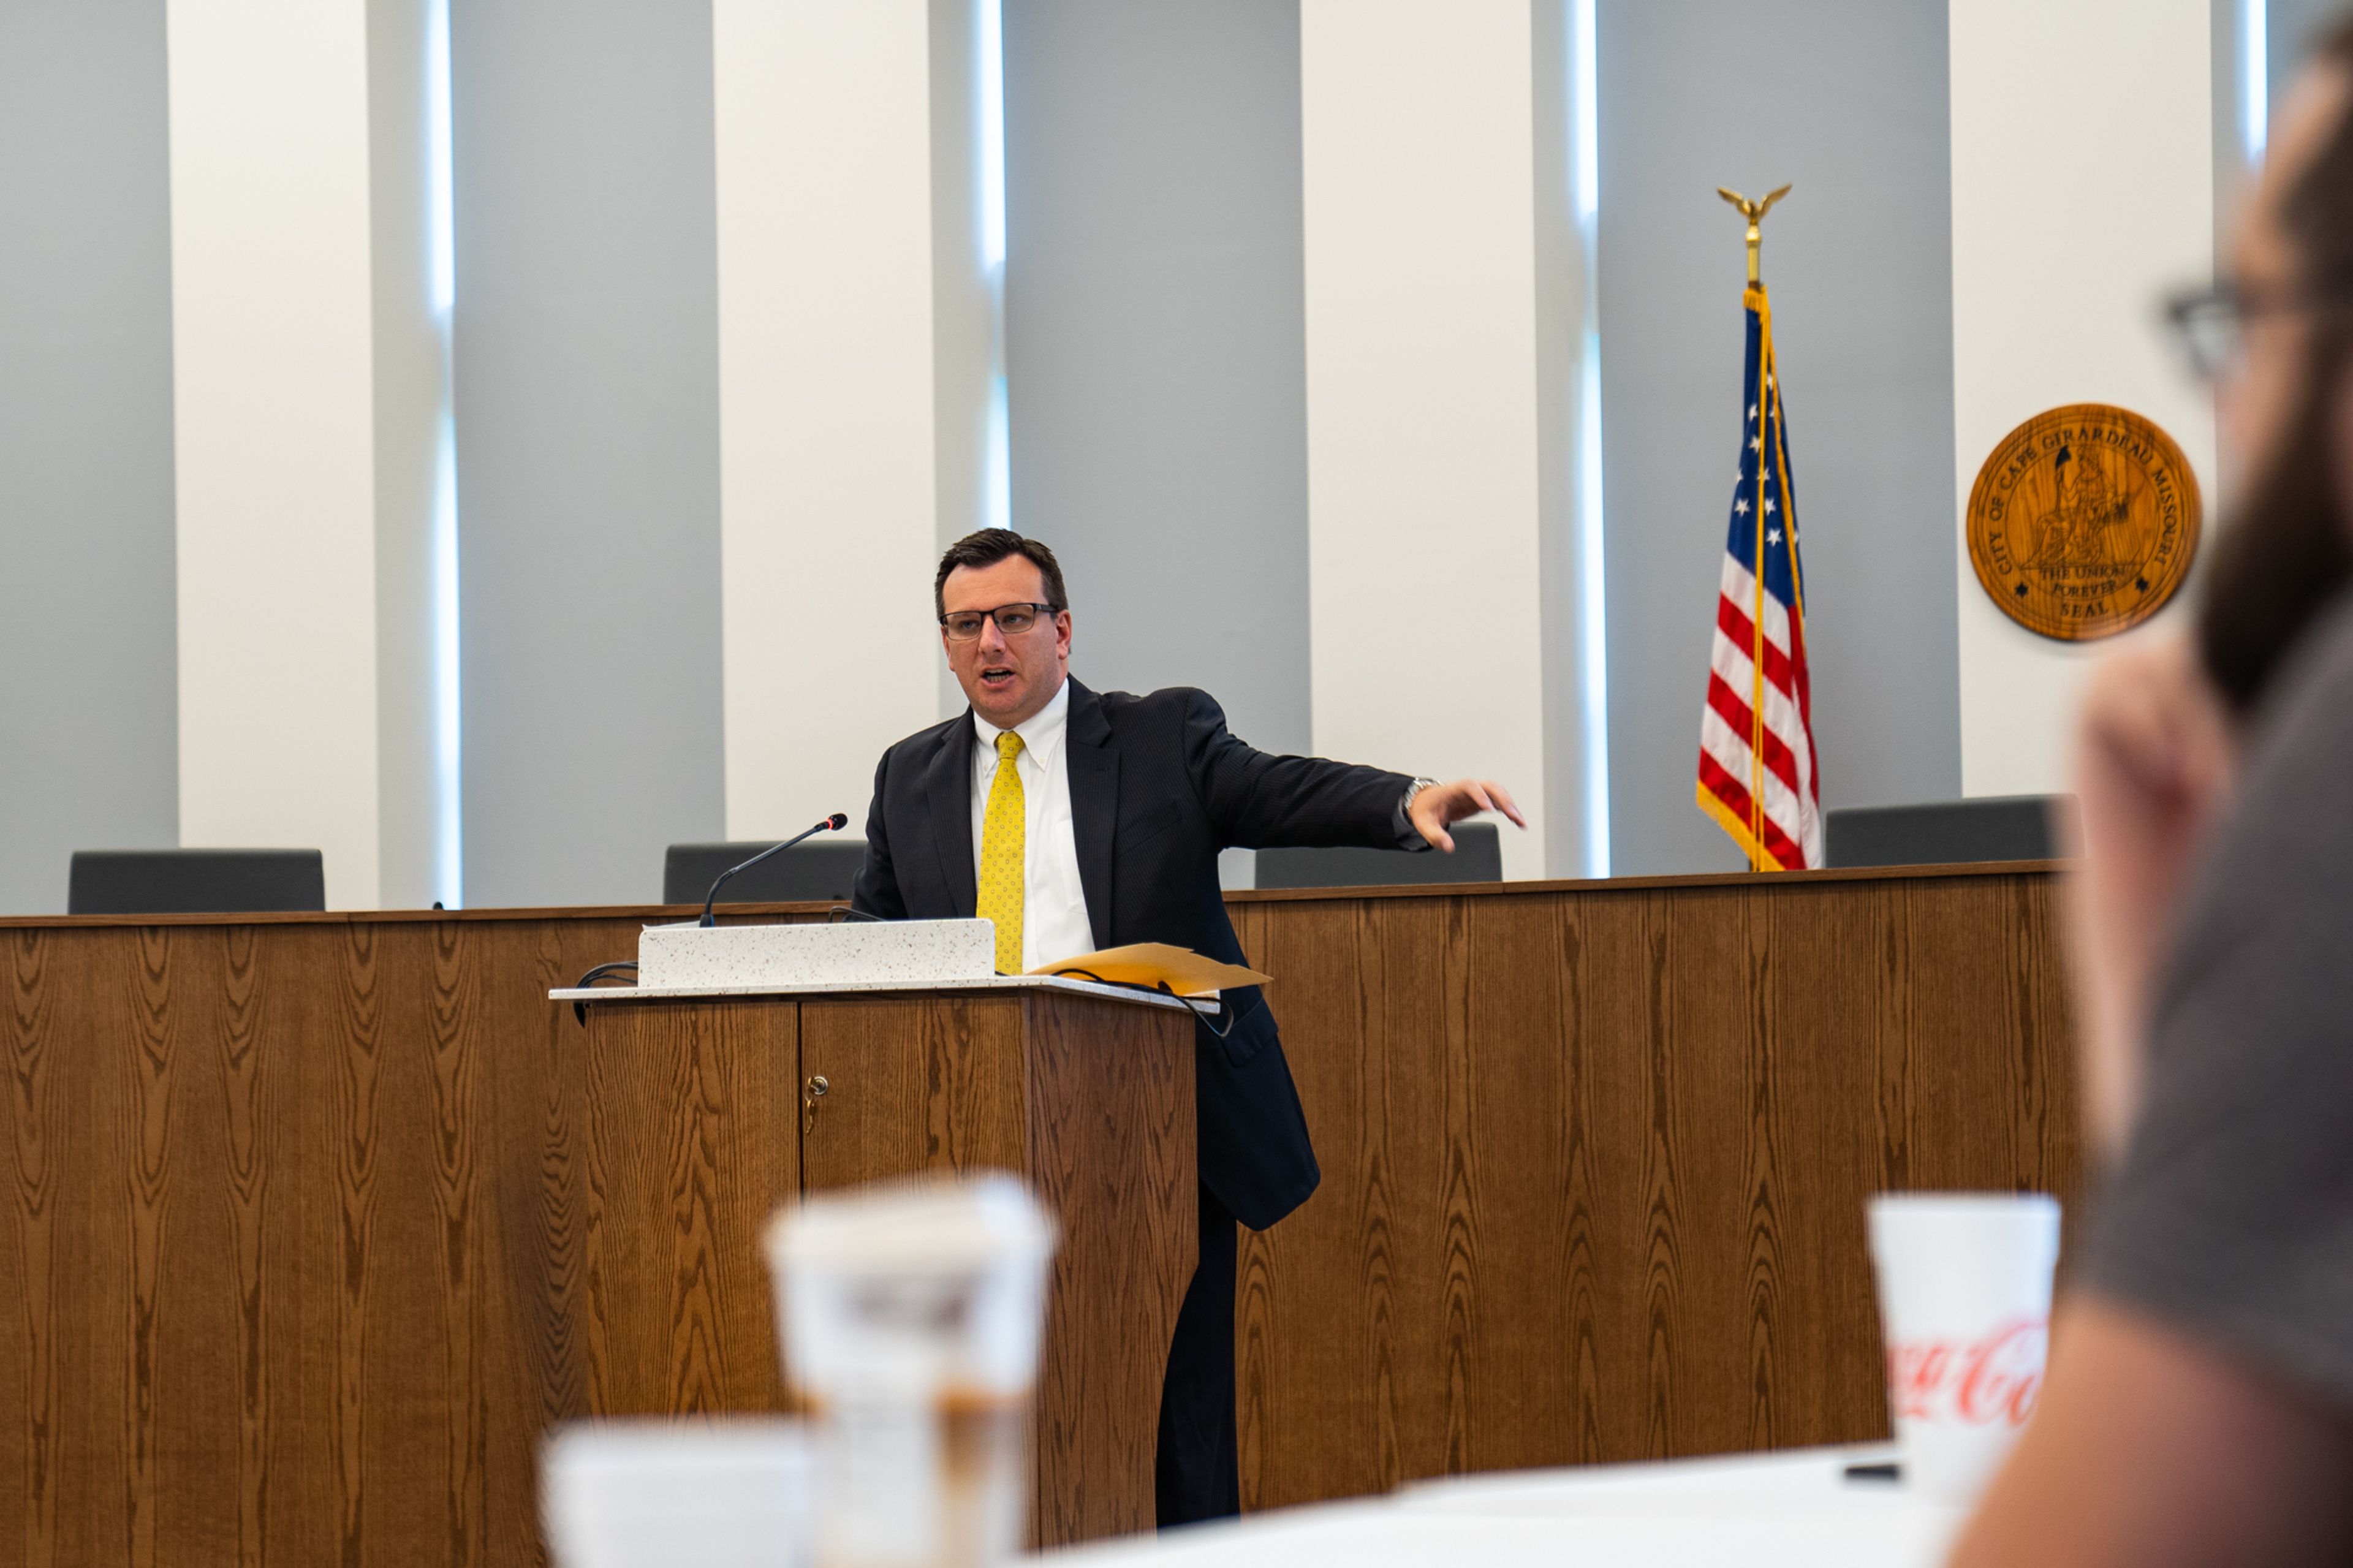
[[88, 616]]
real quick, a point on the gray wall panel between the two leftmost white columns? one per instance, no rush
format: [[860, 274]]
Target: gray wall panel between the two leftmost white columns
[[587, 444]]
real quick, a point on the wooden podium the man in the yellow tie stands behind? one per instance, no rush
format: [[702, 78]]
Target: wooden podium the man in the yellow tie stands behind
[[1079, 1089]]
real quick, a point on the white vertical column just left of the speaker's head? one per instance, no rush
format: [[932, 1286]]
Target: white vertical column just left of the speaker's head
[[841, 453]]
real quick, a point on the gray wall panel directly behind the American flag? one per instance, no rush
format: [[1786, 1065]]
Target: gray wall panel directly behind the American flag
[[1851, 102]]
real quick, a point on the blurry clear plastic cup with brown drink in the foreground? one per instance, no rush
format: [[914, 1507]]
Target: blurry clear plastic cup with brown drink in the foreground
[[912, 1320]]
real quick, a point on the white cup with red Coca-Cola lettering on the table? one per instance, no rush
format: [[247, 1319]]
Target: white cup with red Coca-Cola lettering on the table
[[1966, 1298]]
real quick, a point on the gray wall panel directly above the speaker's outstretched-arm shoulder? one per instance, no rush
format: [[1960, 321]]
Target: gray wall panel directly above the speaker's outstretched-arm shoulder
[[1156, 340]]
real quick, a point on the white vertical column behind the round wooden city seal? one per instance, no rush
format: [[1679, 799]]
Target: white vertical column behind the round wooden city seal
[[2084, 190]]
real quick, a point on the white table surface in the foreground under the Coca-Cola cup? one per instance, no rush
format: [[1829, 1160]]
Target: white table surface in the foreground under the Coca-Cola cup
[[1785, 1510]]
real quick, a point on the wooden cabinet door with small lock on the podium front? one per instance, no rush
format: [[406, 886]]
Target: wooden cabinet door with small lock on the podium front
[[905, 1084]]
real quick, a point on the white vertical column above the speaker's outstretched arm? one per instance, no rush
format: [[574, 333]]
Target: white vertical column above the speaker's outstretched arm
[[1425, 434]]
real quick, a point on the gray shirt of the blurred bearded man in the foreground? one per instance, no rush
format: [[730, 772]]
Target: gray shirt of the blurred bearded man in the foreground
[[2232, 1216]]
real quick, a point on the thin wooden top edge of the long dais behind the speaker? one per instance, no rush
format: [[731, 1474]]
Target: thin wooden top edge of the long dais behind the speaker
[[1258, 896]]
